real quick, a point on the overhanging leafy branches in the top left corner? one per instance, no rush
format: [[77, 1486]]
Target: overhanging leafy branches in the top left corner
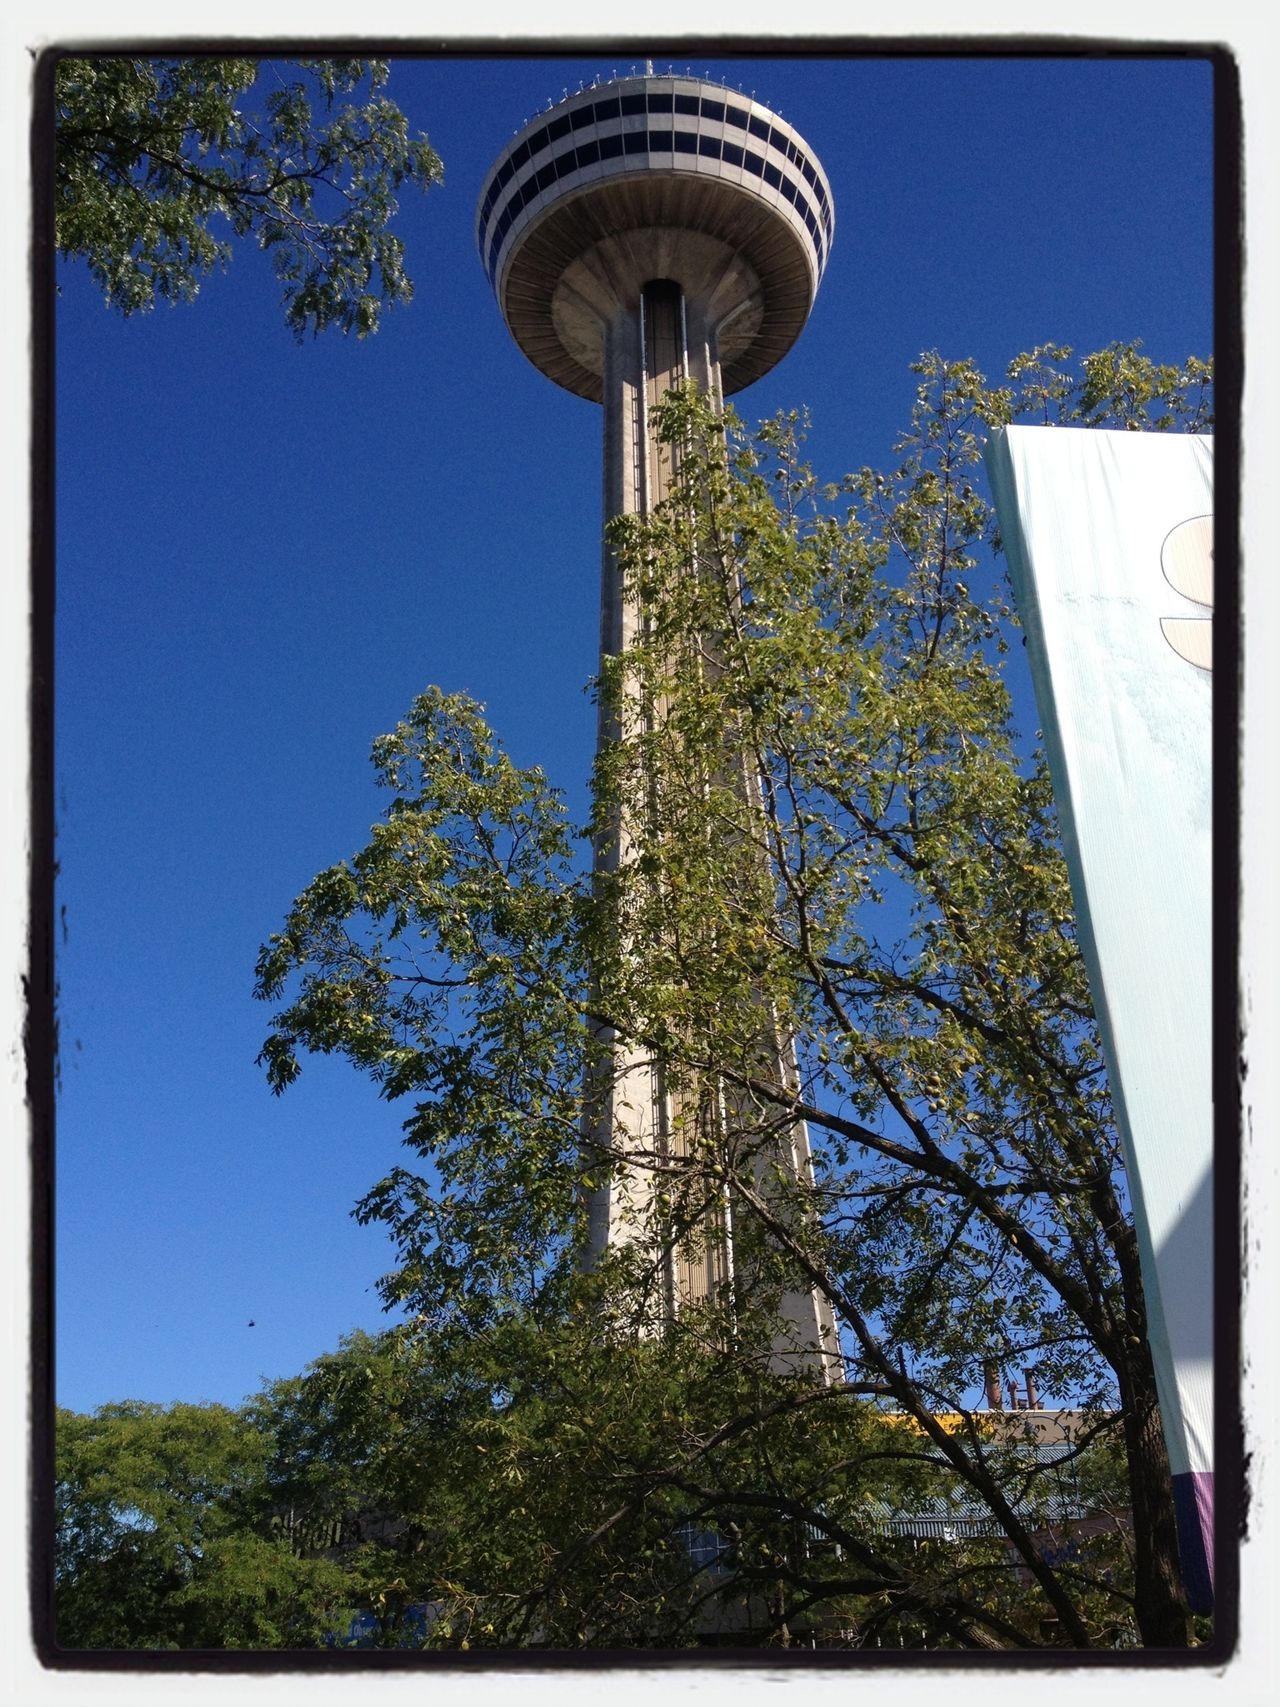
[[154, 154]]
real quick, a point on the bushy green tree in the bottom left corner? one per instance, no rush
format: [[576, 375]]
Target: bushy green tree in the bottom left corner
[[267, 1527]]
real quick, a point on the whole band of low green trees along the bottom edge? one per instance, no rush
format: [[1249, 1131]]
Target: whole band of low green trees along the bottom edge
[[542, 1486]]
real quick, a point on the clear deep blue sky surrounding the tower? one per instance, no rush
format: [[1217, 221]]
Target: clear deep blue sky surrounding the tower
[[267, 551]]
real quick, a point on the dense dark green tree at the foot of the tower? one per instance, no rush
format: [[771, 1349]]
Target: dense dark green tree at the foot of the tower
[[627, 1491]]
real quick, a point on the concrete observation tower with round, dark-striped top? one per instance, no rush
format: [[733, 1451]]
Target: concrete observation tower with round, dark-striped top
[[648, 231]]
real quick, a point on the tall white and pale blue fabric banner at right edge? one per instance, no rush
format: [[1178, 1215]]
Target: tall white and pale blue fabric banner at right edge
[[1110, 540]]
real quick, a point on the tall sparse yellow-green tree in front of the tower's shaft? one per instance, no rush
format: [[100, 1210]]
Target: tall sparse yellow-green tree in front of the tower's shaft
[[835, 825]]
